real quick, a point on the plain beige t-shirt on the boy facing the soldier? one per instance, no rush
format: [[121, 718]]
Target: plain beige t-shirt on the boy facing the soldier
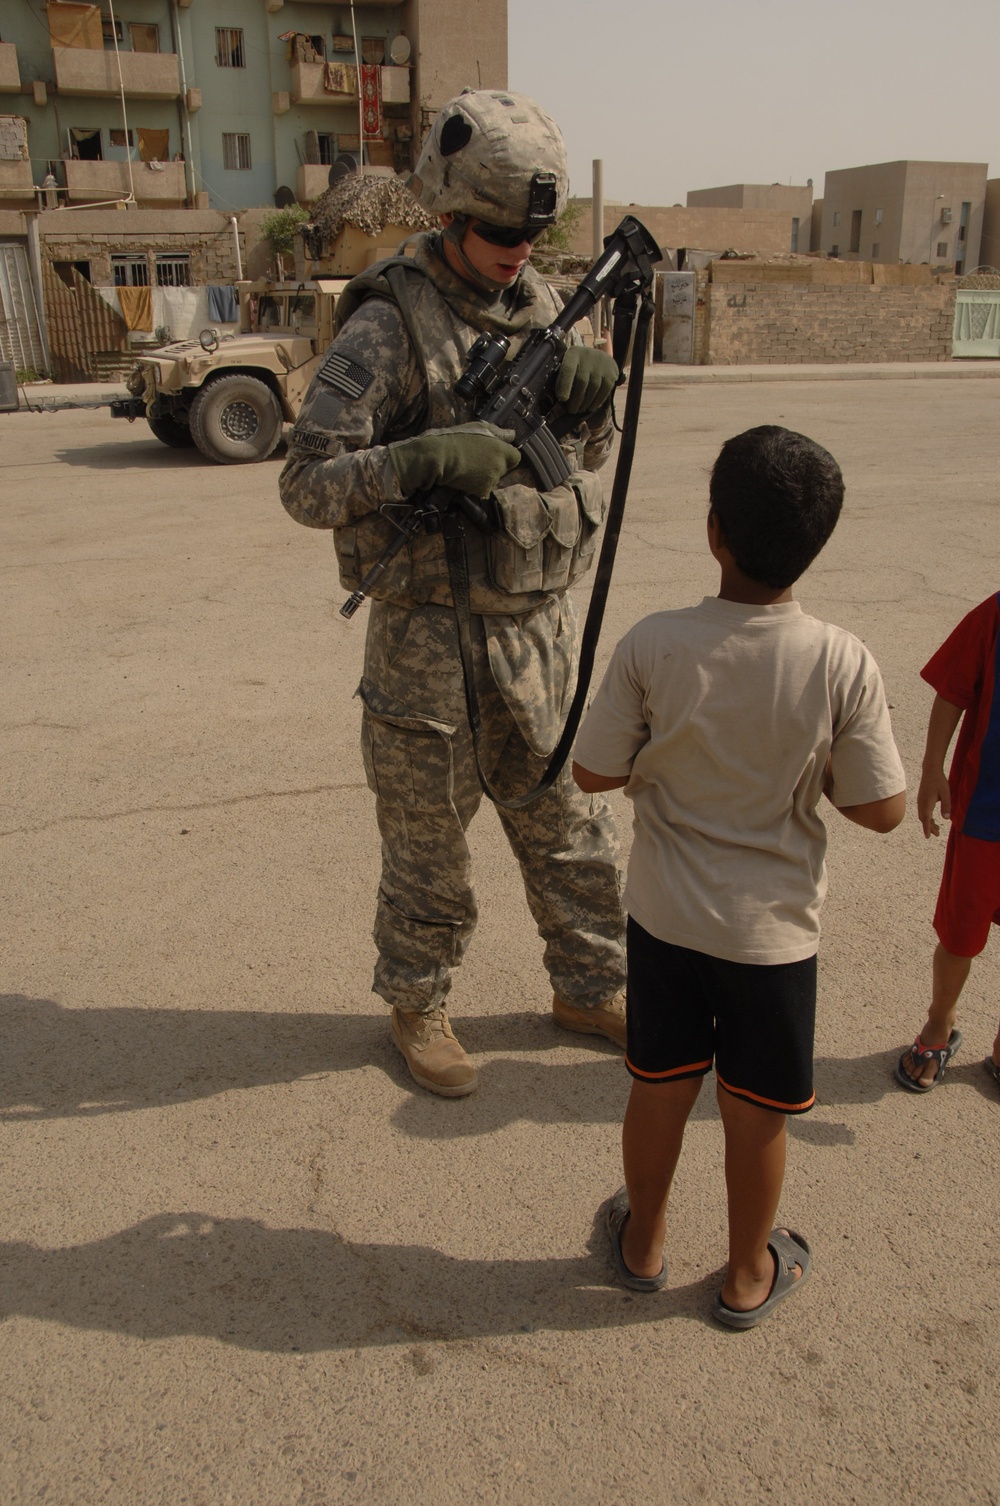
[[725, 716]]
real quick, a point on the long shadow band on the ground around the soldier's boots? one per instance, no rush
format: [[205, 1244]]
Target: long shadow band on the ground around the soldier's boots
[[58, 1062]]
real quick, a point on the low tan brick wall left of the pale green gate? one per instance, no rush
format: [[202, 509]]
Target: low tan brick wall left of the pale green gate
[[754, 320]]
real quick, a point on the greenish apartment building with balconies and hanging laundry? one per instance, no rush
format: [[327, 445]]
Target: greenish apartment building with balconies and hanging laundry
[[225, 105]]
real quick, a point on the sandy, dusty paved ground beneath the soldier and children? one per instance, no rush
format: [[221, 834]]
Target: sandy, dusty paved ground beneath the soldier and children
[[242, 1261]]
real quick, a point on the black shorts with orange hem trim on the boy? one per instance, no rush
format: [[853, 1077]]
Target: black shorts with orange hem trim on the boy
[[687, 1008]]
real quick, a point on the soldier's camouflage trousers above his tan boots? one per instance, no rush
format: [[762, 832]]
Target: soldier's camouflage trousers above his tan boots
[[419, 763]]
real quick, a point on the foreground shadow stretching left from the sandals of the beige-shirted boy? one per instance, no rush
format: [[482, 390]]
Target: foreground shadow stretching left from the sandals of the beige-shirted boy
[[306, 1290]]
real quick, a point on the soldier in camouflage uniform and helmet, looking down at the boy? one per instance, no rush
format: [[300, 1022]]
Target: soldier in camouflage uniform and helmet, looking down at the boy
[[382, 424]]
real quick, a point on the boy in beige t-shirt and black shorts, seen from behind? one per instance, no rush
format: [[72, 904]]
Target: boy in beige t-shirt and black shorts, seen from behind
[[727, 724]]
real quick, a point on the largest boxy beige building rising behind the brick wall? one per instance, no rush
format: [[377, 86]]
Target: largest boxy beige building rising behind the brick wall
[[906, 213]]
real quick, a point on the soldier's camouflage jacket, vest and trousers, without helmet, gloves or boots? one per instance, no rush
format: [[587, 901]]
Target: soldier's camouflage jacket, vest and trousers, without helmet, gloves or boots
[[371, 391]]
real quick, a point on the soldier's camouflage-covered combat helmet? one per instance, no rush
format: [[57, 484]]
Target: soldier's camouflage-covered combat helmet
[[498, 157]]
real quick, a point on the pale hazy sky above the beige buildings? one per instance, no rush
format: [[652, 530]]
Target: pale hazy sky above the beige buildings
[[686, 97]]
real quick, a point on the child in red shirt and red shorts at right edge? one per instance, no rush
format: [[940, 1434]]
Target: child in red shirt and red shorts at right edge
[[965, 672]]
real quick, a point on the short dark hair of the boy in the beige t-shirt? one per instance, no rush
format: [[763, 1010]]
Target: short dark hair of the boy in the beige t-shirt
[[778, 499]]
